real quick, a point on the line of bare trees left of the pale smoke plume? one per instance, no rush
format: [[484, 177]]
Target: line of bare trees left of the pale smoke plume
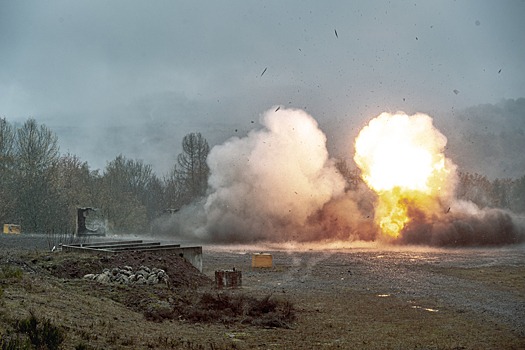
[[40, 189]]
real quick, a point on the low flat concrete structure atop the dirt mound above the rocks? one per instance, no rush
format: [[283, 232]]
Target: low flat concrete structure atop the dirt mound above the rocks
[[192, 254]]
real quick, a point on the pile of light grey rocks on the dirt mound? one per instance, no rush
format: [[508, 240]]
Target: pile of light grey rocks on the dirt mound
[[126, 275]]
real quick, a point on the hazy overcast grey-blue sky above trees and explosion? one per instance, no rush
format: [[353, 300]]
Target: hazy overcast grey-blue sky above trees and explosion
[[134, 77]]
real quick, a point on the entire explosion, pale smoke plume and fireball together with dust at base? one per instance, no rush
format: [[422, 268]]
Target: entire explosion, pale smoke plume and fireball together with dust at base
[[278, 184]]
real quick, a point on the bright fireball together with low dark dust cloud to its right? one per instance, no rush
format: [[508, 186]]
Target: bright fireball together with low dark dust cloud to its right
[[402, 160]]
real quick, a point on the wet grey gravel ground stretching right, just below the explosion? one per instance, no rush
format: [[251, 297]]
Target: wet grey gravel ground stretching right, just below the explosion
[[407, 273]]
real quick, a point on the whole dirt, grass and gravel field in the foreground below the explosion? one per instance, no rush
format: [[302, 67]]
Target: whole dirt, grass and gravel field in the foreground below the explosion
[[352, 298]]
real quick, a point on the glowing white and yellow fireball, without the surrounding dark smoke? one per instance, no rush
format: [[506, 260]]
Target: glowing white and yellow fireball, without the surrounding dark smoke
[[401, 159]]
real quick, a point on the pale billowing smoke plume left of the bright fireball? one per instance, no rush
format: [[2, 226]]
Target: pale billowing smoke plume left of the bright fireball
[[270, 185]]
